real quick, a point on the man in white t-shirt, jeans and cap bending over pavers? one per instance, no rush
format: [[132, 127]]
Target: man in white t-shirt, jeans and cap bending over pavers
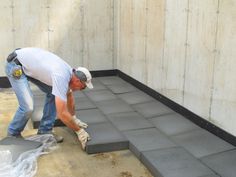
[[54, 77]]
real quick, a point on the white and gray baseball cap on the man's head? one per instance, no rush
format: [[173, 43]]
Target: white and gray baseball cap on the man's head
[[84, 75]]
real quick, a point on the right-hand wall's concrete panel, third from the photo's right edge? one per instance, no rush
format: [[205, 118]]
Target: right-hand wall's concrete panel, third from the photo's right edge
[[174, 49]]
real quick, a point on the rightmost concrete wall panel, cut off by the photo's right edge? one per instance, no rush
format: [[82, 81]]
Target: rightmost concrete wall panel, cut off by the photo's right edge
[[224, 89]]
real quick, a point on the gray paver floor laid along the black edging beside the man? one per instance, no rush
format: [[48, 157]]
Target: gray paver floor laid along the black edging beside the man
[[121, 116]]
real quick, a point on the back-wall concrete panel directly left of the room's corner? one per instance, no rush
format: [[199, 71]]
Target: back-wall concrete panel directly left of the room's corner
[[98, 34]]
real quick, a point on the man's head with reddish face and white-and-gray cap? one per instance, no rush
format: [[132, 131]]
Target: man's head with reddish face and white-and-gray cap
[[81, 78]]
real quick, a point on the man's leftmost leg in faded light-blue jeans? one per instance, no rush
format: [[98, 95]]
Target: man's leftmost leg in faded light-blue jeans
[[25, 99]]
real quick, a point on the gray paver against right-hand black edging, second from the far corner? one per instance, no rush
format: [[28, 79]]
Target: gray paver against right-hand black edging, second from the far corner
[[122, 88]]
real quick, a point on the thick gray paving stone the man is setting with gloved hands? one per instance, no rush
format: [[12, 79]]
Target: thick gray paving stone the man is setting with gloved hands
[[105, 138]]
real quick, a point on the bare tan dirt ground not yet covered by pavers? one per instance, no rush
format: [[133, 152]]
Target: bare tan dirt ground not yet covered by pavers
[[68, 160]]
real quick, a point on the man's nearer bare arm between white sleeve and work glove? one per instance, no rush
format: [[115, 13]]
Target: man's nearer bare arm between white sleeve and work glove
[[64, 115]]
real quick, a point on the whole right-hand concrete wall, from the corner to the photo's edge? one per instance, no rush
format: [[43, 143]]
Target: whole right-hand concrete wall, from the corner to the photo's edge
[[183, 49]]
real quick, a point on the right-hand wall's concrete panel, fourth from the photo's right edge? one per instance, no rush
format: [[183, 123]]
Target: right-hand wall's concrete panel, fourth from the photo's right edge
[[155, 43]]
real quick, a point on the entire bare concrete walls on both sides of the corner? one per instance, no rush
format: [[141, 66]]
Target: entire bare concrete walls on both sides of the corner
[[183, 49]]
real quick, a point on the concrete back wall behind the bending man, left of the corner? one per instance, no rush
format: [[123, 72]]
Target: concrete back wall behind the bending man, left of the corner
[[80, 31]]
